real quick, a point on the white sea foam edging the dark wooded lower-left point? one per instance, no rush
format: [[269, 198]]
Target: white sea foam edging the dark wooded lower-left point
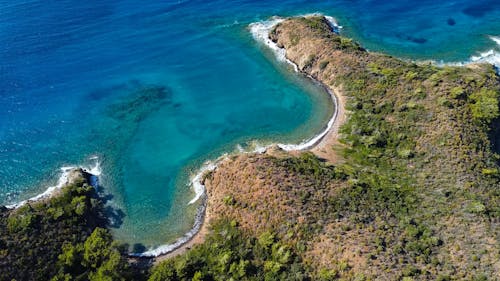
[[95, 171]]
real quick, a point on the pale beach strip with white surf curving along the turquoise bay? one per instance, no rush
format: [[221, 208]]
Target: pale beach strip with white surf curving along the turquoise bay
[[320, 144]]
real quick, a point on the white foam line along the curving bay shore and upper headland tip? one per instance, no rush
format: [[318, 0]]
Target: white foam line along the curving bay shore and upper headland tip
[[260, 31]]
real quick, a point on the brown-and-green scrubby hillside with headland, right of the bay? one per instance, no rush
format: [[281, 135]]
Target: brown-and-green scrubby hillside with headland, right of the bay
[[416, 195]]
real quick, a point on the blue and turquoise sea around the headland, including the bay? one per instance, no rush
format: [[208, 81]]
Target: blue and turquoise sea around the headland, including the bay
[[154, 89]]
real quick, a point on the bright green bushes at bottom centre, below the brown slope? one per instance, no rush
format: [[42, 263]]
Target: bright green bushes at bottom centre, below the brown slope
[[230, 254]]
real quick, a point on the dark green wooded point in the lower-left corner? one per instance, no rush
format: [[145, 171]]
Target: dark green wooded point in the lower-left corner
[[60, 239]]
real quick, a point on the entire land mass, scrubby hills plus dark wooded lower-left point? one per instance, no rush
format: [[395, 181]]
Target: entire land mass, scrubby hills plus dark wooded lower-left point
[[404, 186]]
